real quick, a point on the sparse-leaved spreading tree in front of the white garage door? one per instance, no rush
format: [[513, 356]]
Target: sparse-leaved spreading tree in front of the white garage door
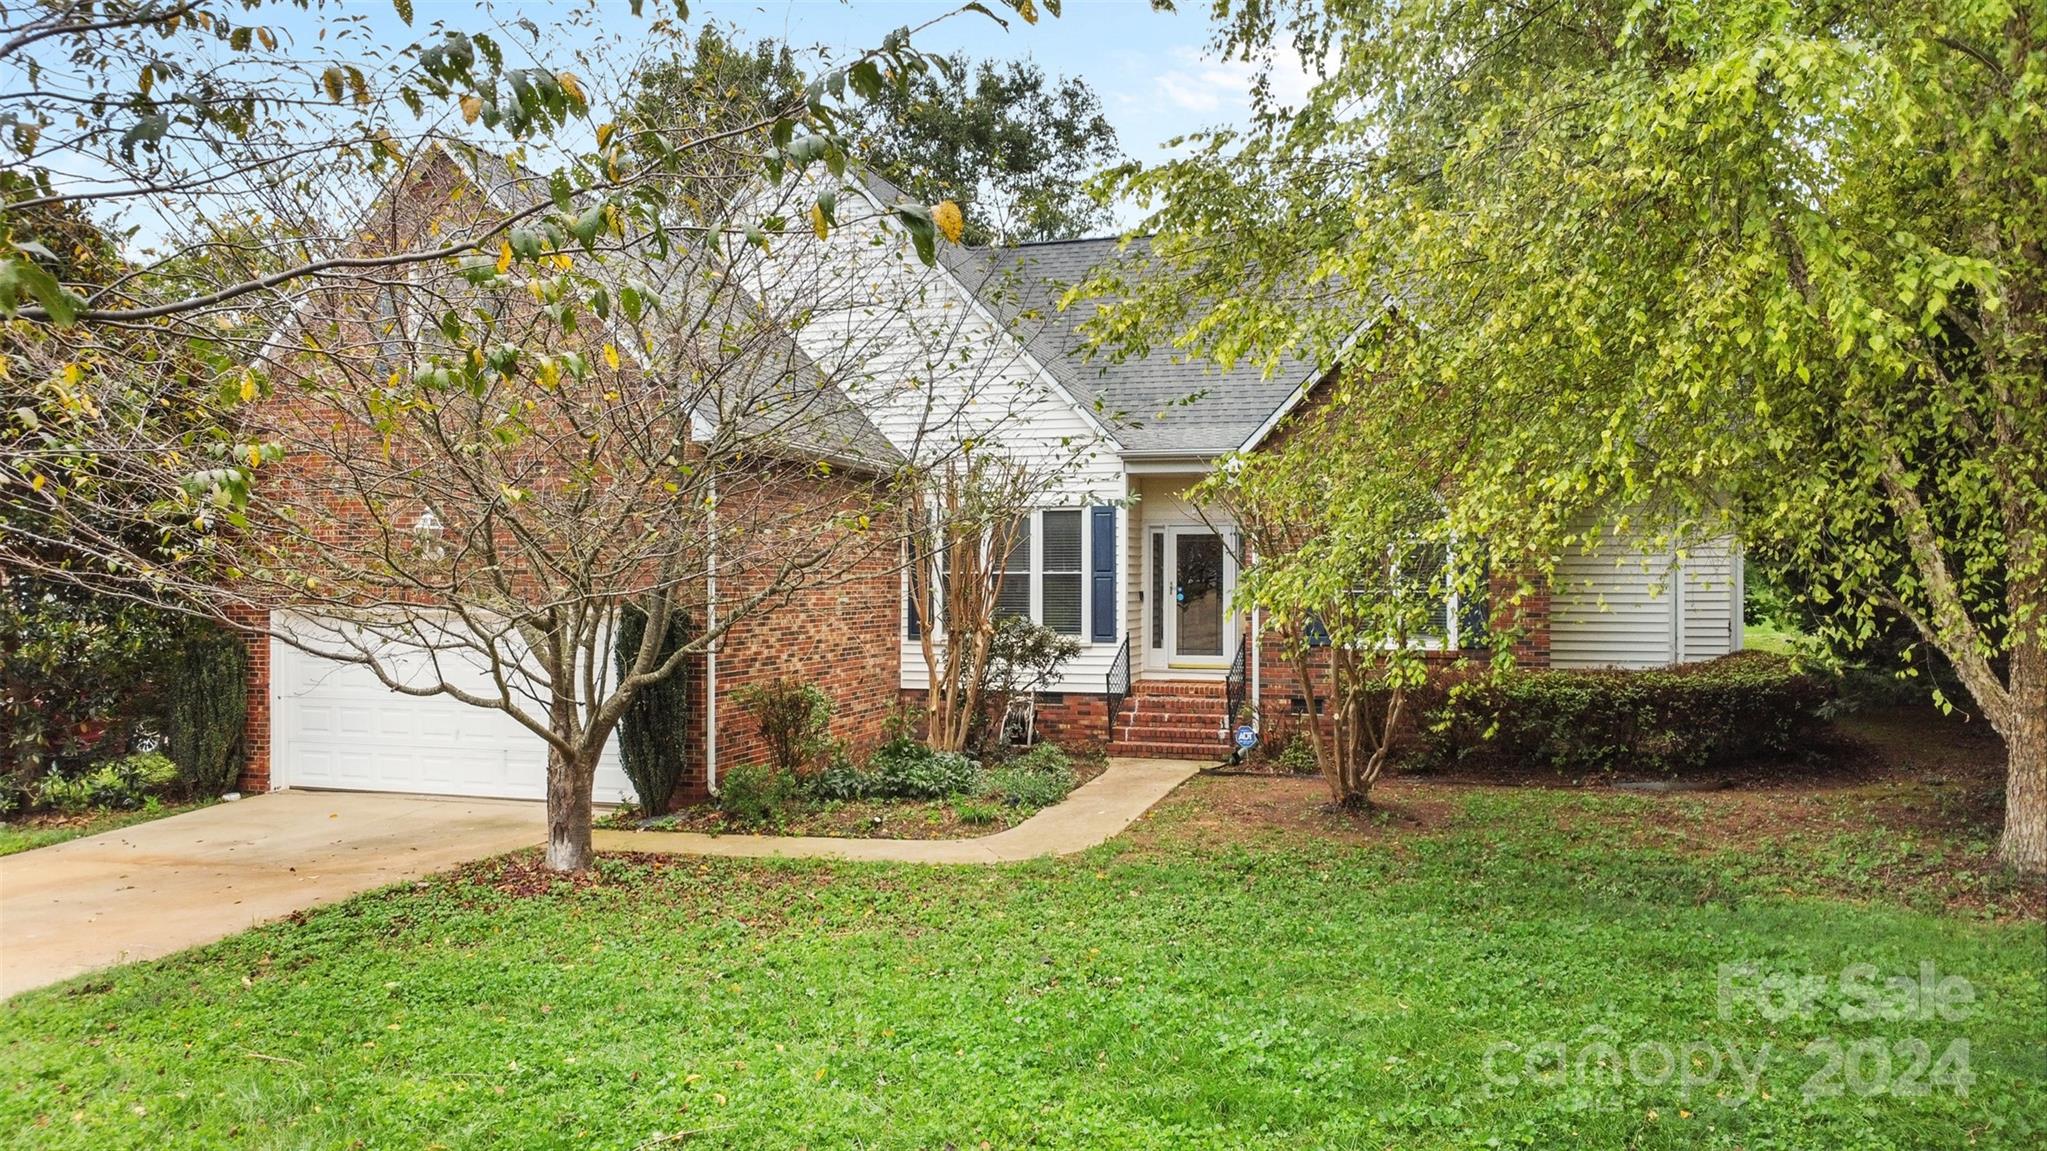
[[480, 417]]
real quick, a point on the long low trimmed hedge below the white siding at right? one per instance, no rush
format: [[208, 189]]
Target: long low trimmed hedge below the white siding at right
[[1665, 720]]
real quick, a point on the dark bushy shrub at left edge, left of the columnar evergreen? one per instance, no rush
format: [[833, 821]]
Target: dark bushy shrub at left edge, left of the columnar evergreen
[[79, 673]]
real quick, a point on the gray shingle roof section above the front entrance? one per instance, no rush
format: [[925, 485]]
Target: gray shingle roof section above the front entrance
[[1164, 402]]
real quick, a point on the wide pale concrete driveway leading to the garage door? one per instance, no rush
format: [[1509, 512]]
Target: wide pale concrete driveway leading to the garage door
[[198, 878]]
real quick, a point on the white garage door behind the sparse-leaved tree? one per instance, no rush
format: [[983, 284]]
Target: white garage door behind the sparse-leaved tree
[[337, 726]]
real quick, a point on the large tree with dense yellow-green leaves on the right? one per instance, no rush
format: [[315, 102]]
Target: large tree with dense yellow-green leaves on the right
[[1727, 265]]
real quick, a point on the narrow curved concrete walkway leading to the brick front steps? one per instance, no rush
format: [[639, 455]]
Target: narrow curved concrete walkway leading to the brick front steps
[[1098, 810]]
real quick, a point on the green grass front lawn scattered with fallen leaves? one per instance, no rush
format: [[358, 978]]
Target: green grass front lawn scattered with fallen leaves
[[1237, 972]]
